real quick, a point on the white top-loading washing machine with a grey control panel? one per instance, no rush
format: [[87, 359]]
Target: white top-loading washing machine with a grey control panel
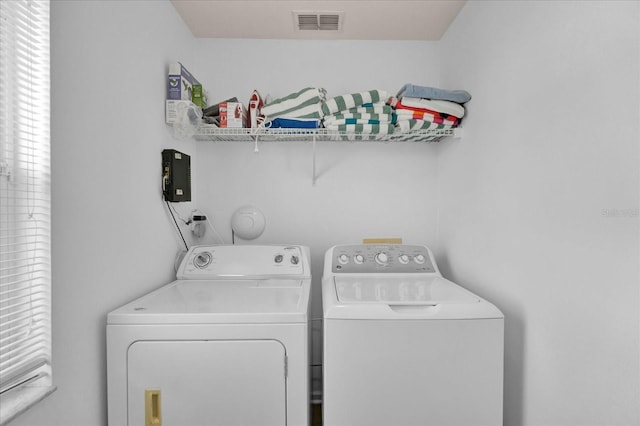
[[403, 346]]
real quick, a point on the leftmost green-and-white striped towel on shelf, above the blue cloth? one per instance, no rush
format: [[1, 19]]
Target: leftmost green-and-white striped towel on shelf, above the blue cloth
[[306, 103]]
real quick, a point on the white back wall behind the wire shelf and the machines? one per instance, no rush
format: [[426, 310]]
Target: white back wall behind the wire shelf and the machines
[[362, 189]]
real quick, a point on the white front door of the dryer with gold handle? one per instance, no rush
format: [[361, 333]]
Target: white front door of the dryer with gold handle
[[216, 382]]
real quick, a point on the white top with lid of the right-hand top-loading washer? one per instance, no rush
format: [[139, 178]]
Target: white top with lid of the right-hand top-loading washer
[[424, 296]]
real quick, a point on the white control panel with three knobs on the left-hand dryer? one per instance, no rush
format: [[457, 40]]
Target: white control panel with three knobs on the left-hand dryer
[[243, 261]]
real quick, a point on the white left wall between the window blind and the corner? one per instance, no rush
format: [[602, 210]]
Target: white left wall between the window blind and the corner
[[112, 238]]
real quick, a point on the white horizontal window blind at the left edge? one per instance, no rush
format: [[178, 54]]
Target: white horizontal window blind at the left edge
[[25, 270]]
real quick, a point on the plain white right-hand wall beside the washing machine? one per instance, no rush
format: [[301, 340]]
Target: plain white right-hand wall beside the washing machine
[[539, 201]]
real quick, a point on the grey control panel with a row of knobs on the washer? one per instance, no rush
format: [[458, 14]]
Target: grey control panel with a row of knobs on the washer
[[385, 258]]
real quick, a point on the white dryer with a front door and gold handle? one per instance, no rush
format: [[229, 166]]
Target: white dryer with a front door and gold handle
[[224, 344]]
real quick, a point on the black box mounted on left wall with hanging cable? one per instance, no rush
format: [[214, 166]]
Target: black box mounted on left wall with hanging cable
[[176, 176]]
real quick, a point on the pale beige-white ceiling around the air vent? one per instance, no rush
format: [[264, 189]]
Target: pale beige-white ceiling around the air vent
[[363, 19]]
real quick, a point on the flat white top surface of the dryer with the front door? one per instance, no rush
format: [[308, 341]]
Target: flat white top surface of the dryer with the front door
[[219, 301]]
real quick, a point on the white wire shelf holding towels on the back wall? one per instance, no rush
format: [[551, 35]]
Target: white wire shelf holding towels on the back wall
[[218, 134]]
